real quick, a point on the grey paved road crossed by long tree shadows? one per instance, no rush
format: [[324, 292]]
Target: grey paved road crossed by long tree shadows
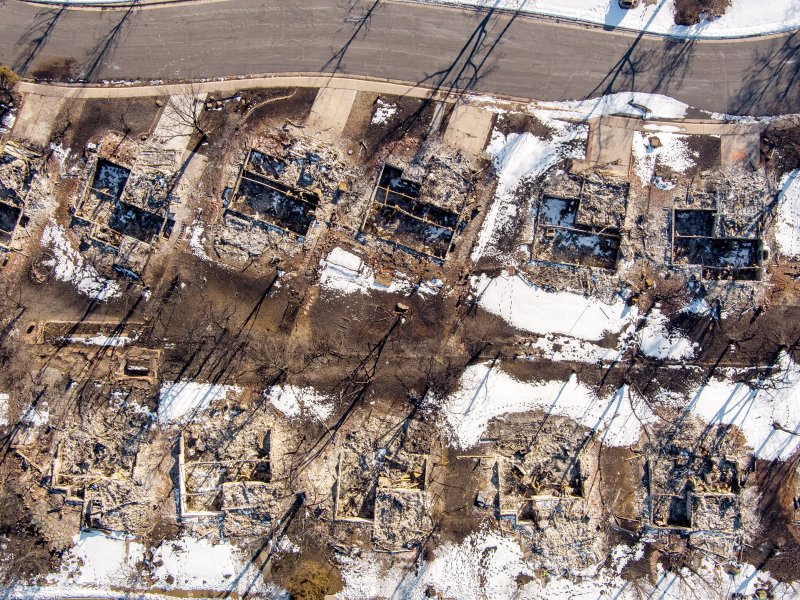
[[489, 52]]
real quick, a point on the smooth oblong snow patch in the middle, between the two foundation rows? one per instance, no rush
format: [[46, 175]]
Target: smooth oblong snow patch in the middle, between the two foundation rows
[[531, 308]]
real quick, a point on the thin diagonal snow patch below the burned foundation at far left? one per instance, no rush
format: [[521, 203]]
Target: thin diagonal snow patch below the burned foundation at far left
[[71, 267]]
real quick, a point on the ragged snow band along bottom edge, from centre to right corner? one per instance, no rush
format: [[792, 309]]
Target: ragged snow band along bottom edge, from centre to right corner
[[488, 565]]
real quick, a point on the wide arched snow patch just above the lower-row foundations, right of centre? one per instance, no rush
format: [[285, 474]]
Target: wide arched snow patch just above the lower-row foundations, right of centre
[[486, 392]]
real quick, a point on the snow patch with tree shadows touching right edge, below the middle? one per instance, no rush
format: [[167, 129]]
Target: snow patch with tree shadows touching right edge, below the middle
[[767, 412]]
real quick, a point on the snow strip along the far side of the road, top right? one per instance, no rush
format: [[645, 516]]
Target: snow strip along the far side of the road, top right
[[743, 17]]
